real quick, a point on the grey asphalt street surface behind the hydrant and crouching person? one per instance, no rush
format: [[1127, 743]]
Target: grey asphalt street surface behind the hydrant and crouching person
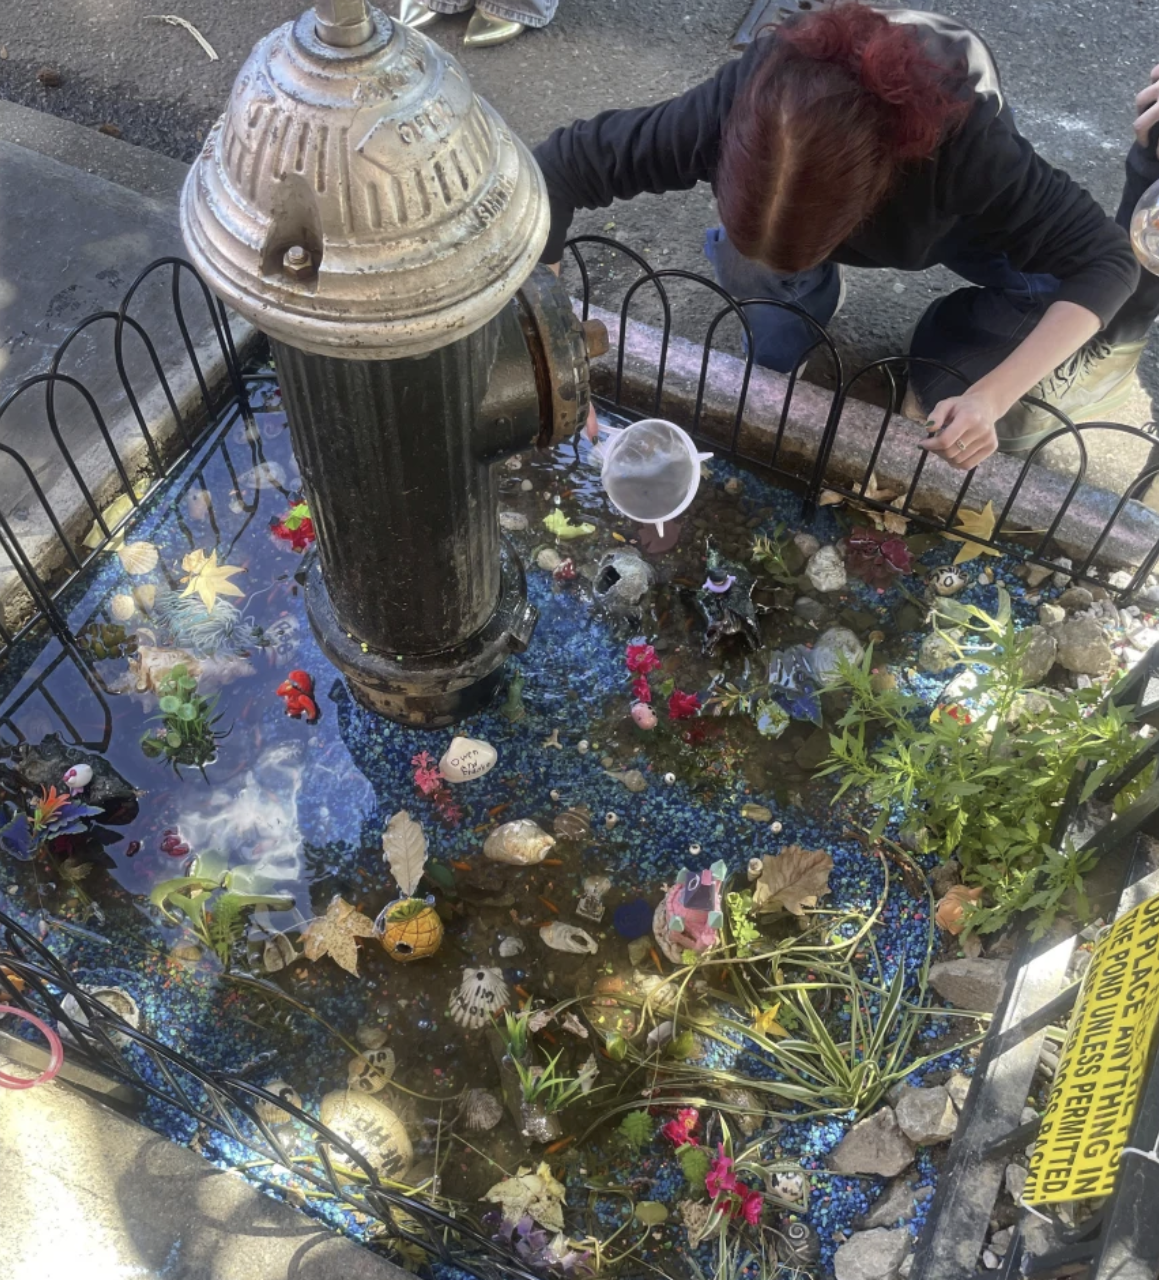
[[1071, 71]]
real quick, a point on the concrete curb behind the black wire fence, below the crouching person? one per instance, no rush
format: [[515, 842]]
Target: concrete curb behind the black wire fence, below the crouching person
[[1130, 542]]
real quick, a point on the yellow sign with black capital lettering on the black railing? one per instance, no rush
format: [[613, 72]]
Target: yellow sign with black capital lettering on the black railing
[[1102, 1067]]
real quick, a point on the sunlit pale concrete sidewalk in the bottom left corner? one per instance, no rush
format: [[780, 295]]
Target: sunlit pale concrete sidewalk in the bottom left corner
[[90, 1194]]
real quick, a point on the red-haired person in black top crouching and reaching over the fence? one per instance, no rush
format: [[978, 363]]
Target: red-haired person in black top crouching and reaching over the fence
[[882, 139]]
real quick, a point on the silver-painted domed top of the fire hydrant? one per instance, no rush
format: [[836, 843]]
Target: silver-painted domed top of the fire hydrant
[[361, 200]]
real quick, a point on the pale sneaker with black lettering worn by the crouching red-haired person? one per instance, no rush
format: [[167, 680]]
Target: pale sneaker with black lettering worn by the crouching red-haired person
[[1089, 387]]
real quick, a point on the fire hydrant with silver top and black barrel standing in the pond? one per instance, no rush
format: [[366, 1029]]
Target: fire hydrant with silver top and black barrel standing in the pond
[[381, 225]]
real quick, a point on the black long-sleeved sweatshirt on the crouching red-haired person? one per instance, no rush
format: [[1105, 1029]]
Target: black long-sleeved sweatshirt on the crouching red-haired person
[[984, 191]]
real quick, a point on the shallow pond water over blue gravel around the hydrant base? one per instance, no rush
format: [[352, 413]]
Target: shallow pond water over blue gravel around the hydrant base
[[296, 810]]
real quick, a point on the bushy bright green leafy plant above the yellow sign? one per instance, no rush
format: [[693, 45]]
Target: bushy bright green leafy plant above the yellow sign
[[987, 790]]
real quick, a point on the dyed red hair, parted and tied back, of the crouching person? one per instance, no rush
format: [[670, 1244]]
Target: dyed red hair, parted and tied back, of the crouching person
[[843, 100]]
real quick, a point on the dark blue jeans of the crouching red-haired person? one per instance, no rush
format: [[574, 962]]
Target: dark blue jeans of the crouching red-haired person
[[973, 330]]
